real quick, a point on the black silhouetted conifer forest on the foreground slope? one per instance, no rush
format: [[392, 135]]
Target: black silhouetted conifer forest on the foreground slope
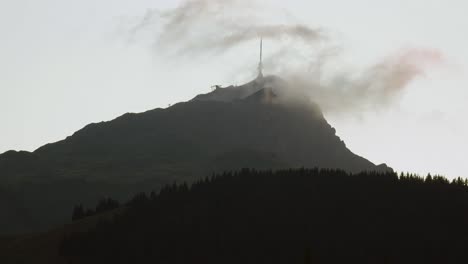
[[288, 216]]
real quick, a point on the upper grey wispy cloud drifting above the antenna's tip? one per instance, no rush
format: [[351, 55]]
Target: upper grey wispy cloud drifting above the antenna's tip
[[214, 26]]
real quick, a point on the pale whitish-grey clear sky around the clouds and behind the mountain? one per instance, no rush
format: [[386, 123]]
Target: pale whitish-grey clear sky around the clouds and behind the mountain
[[67, 63]]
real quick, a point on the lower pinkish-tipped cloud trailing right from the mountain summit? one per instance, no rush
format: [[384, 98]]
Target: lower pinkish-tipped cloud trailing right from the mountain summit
[[373, 88]]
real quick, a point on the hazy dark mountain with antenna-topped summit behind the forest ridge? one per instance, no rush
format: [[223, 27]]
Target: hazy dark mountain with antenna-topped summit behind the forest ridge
[[248, 126]]
